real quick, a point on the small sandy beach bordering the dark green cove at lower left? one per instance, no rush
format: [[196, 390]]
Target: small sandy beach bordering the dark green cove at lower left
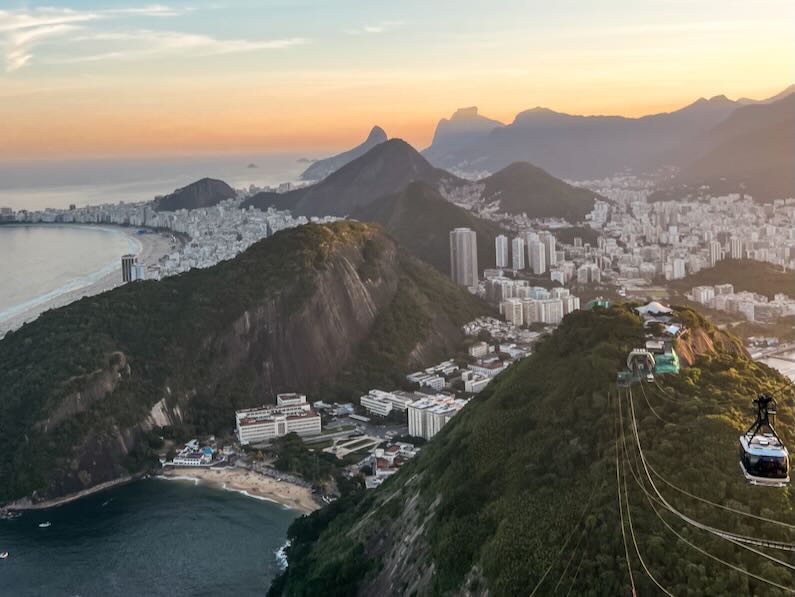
[[253, 484]]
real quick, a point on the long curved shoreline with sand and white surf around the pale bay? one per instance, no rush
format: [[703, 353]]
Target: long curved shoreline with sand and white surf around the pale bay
[[150, 249]]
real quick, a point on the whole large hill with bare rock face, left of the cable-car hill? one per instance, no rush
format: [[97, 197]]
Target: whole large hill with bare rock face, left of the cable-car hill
[[87, 390]]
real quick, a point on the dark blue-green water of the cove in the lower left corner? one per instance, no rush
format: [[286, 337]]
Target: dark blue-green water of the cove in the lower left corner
[[151, 537]]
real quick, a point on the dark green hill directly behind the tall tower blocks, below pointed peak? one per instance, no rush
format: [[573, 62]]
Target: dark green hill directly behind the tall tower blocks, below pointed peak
[[420, 219]]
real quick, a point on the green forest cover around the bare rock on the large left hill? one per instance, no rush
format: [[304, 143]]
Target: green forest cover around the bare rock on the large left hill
[[76, 379]]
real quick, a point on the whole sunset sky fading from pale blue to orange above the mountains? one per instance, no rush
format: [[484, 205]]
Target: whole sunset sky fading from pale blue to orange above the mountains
[[121, 78]]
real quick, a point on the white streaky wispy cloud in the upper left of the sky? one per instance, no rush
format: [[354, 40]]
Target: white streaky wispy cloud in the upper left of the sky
[[69, 36]]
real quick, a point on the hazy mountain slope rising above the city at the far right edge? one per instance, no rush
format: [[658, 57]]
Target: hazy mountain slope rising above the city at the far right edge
[[752, 150]]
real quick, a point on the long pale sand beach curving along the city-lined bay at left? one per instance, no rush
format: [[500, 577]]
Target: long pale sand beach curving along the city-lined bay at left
[[152, 247]]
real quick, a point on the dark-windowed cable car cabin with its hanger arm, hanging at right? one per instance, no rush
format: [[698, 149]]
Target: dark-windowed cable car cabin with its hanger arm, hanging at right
[[764, 459]]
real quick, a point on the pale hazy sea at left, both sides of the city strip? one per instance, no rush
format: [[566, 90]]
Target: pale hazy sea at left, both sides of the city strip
[[38, 263]]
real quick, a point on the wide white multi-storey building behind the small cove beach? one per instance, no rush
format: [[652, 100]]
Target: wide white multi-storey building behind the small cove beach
[[292, 414]]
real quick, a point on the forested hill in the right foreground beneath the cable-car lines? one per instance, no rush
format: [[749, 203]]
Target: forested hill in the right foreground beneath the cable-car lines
[[519, 494]]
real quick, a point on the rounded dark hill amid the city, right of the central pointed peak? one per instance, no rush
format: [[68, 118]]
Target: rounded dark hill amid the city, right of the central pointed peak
[[524, 188]]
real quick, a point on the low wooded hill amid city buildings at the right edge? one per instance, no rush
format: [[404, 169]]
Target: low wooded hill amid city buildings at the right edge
[[744, 274]]
